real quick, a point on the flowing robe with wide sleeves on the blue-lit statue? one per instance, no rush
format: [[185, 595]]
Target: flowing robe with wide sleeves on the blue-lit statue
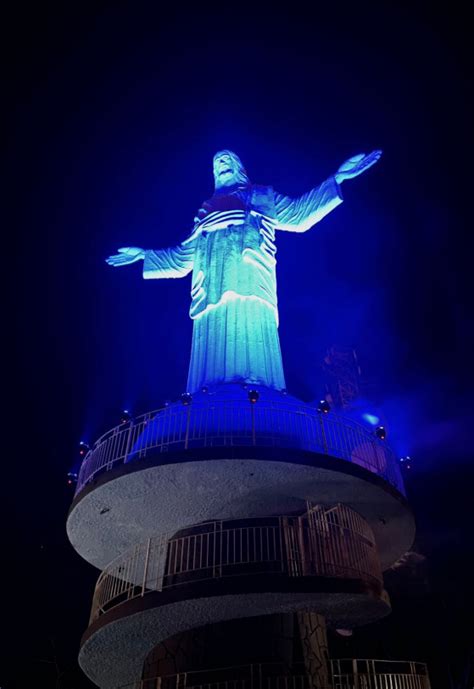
[[233, 295]]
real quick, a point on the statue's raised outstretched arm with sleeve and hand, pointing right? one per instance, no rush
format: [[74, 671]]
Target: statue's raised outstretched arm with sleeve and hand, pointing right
[[300, 214]]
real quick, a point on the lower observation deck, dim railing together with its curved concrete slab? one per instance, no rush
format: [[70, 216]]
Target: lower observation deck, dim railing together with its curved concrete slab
[[325, 560]]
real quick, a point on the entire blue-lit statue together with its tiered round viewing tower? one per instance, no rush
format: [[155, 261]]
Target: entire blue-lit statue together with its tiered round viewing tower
[[234, 525]]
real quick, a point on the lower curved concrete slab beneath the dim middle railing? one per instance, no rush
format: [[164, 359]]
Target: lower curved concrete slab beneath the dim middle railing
[[126, 634]]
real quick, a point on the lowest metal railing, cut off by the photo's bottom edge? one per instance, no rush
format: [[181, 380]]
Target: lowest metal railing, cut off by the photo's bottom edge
[[361, 674]]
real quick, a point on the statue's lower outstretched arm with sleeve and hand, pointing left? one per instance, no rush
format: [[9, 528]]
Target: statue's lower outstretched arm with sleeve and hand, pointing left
[[175, 262]]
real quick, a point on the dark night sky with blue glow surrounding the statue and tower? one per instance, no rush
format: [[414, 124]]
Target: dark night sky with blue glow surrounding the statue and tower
[[114, 114]]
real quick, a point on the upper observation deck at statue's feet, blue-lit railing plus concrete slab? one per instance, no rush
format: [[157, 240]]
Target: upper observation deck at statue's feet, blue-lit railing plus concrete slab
[[224, 457]]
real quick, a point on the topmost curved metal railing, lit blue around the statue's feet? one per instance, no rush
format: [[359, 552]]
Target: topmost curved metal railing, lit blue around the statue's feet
[[236, 423]]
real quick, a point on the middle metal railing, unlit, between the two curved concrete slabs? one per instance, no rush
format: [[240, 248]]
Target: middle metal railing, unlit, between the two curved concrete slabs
[[335, 542]]
